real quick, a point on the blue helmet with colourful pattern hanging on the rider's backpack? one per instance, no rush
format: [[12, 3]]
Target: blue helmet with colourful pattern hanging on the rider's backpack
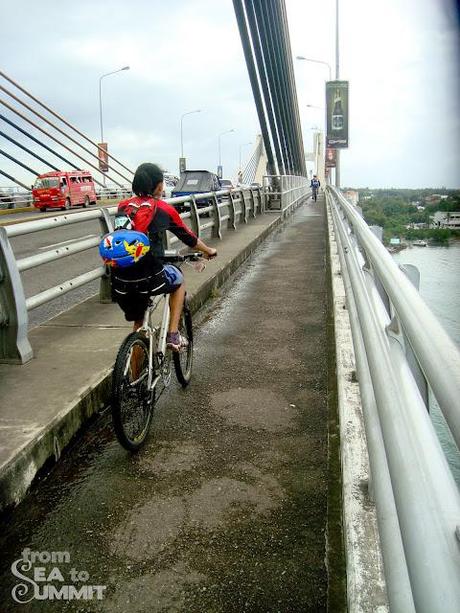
[[123, 248]]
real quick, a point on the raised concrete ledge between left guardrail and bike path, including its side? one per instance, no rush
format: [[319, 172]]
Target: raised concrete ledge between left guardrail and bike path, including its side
[[44, 402]]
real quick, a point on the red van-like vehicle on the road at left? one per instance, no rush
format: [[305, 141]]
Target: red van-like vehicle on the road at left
[[62, 190]]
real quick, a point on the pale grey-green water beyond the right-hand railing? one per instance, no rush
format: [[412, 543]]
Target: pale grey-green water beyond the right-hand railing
[[440, 288]]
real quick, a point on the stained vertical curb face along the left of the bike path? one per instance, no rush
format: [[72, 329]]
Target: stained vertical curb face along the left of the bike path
[[45, 448]]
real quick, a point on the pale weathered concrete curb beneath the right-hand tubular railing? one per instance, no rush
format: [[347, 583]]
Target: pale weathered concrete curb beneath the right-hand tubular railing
[[366, 587]]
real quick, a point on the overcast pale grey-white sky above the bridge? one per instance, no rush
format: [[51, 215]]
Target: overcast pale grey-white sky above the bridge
[[400, 56]]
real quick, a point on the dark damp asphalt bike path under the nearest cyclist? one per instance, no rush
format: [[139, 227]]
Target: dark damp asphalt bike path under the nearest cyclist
[[225, 508]]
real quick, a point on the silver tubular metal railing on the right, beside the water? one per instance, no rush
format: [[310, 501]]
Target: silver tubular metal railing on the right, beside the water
[[399, 347]]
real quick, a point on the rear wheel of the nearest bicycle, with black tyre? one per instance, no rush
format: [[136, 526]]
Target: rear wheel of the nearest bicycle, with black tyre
[[132, 401]]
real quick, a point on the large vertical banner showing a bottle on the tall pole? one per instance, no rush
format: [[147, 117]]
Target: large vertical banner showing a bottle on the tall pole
[[337, 114]]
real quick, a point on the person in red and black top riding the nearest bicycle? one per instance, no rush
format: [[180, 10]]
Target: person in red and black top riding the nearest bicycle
[[132, 286]]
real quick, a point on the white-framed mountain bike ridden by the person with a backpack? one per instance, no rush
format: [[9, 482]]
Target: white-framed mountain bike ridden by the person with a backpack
[[143, 362]]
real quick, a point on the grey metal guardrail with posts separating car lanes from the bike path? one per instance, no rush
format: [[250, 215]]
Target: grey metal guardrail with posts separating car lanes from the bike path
[[226, 209]]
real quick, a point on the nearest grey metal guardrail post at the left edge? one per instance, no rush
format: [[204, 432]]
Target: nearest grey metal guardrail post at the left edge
[[14, 343]]
